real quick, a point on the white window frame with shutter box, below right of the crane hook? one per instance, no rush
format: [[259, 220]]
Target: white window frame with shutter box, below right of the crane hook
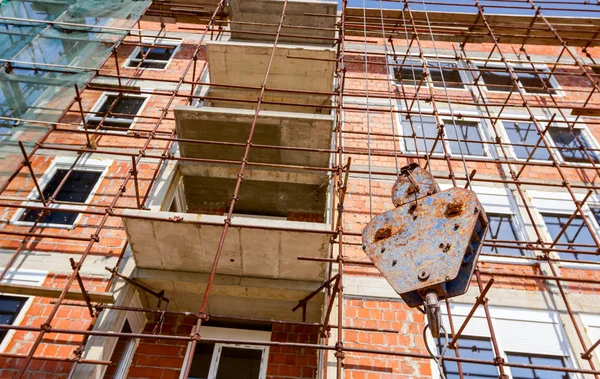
[[502, 314]]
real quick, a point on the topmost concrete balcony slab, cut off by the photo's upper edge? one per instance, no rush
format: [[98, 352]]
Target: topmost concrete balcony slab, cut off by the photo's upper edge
[[301, 14]]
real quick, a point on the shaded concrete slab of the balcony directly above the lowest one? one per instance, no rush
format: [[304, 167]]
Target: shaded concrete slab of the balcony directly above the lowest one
[[282, 129]]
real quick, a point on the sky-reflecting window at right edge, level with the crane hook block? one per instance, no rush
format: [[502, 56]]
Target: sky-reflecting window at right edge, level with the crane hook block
[[576, 233]]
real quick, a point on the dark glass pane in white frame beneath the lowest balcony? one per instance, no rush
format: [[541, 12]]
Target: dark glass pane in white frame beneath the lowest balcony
[[239, 363]]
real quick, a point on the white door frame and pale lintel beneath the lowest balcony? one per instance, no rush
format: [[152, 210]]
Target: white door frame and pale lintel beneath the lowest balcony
[[233, 334]]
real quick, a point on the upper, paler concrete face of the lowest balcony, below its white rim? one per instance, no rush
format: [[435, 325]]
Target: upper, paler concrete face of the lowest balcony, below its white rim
[[253, 247]]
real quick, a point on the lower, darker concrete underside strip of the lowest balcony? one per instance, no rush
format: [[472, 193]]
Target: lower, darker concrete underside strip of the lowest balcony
[[233, 296]]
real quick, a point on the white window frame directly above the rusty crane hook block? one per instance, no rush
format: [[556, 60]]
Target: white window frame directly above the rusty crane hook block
[[467, 117]]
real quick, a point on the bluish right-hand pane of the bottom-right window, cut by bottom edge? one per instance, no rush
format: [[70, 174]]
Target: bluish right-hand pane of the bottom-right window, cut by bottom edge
[[538, 360]]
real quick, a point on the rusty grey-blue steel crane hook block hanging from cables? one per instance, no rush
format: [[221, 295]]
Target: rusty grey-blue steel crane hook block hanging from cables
[[427, 247]]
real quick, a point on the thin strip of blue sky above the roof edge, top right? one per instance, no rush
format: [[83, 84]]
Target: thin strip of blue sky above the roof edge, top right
[[576, 8]]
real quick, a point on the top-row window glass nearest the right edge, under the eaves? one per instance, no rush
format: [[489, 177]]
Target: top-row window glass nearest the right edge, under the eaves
[[498, 79]]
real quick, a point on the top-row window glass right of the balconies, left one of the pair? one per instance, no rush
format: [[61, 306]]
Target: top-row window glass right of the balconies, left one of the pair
[[412, 74]]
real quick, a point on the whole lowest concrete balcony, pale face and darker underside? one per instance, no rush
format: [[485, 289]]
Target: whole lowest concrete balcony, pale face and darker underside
[[258, 273]]
